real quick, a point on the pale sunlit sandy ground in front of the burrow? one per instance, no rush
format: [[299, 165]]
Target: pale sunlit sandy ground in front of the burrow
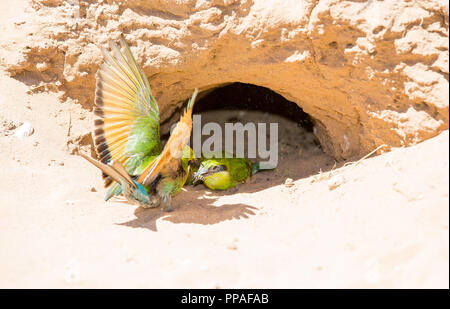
[[380, 224]]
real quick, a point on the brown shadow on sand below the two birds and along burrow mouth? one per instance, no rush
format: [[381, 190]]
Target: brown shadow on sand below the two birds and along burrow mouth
[[197, 204]]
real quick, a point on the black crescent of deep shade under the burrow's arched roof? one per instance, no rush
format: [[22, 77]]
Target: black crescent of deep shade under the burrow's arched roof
[[240, 96]]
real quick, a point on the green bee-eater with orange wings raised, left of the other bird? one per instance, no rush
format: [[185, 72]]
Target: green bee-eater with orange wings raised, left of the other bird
[[127, 134]]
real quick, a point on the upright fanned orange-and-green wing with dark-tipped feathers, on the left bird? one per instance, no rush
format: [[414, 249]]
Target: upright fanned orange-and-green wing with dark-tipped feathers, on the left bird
[[127, 123]]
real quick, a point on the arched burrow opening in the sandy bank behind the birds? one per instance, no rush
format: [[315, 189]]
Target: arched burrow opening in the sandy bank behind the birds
[[298, 150]]
